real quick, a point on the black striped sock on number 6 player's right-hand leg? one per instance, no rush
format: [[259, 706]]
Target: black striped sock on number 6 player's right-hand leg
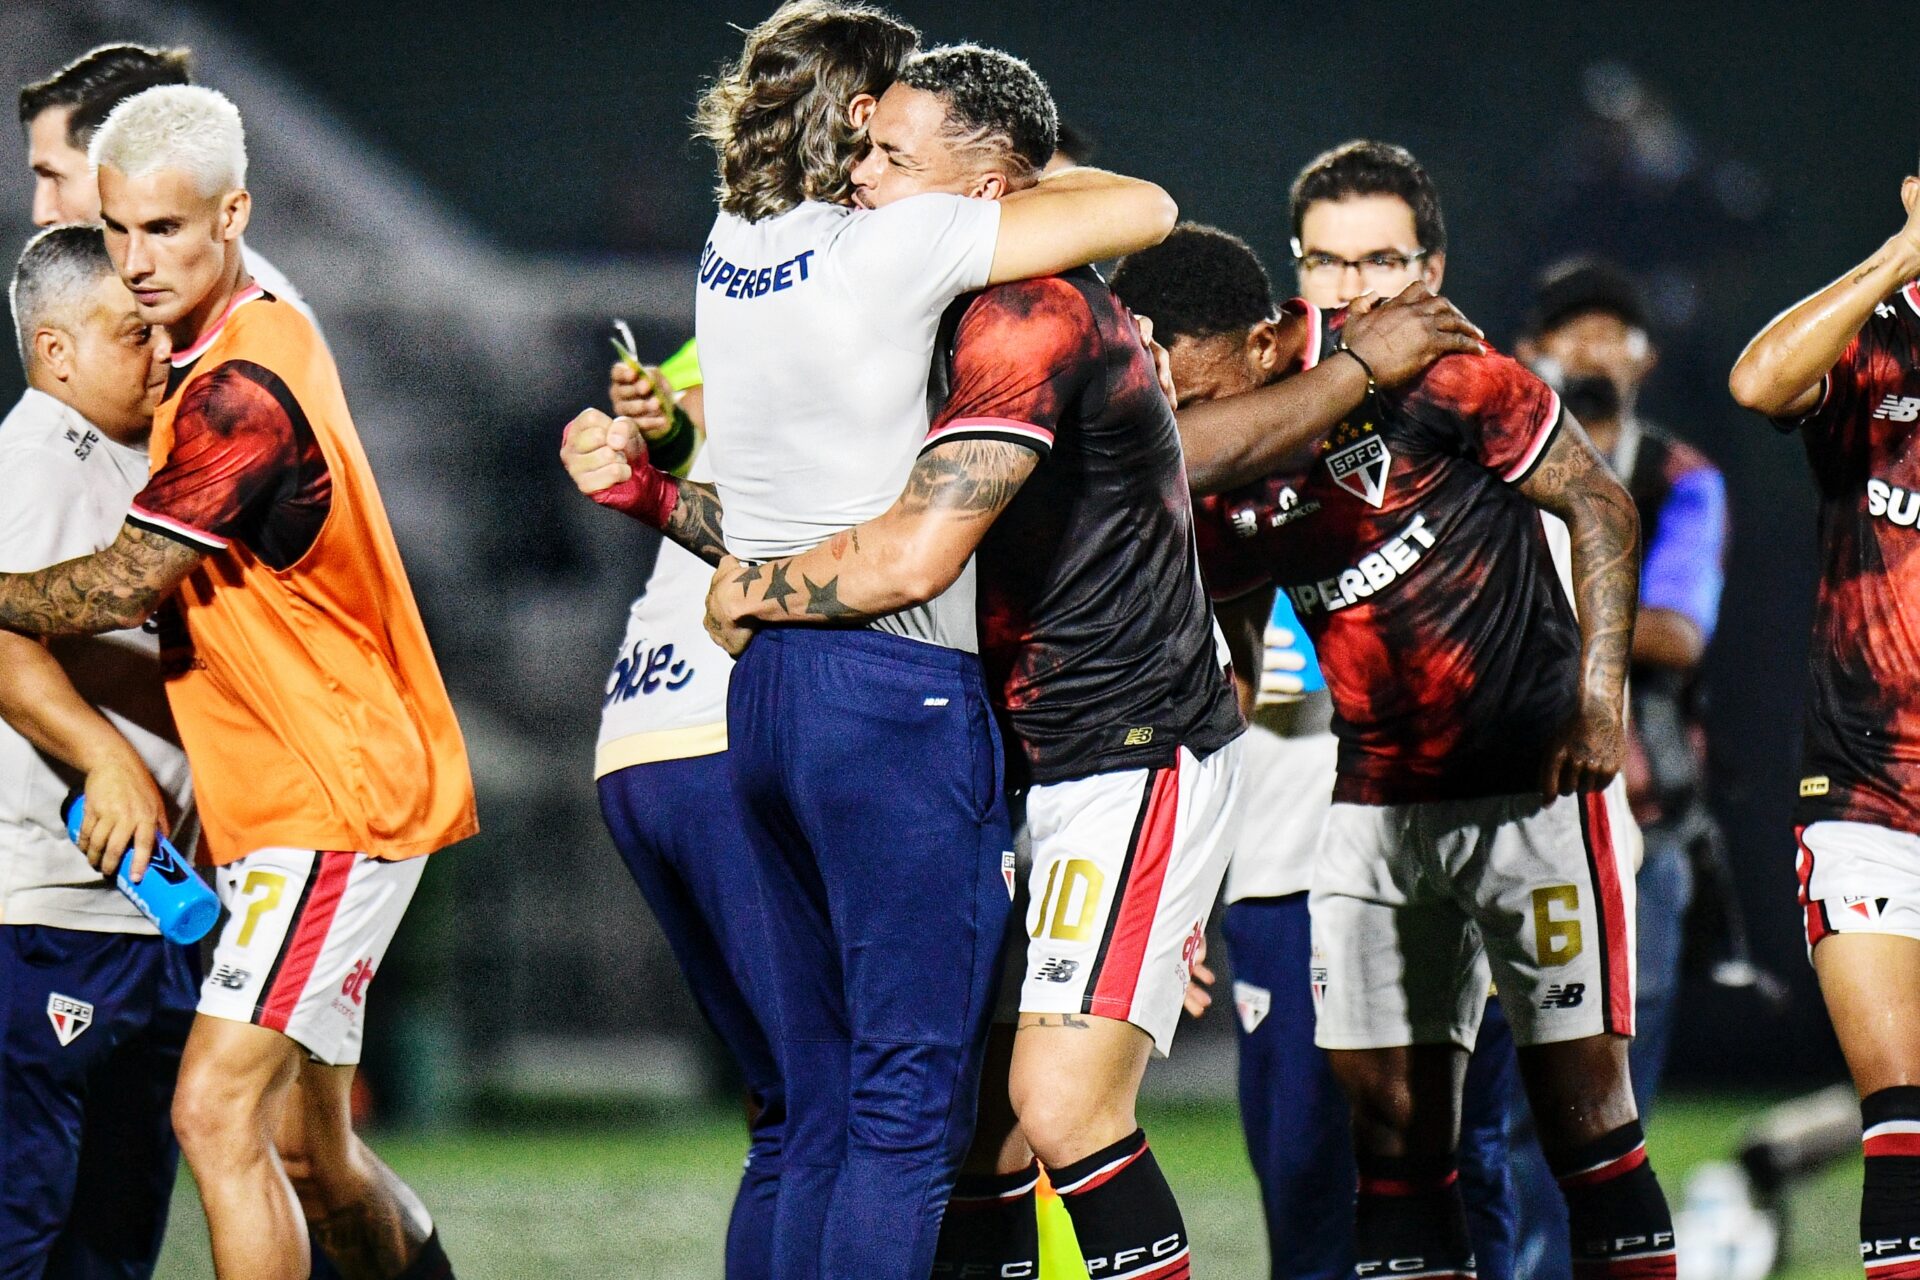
[[1616, 1210]]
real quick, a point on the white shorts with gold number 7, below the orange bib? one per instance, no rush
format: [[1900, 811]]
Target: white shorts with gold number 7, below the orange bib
[[304, 936]]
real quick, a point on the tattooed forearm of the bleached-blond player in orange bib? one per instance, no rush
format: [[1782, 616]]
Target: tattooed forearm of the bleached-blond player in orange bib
[[107, 592]]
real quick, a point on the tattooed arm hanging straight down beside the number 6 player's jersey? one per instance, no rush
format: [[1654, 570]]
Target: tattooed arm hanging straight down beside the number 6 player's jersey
[[1575, 485]]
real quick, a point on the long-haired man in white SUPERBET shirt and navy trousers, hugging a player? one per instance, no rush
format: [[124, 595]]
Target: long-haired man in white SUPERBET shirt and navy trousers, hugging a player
[[867, 757]]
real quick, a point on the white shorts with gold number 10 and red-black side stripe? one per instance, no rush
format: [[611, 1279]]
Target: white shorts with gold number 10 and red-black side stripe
[[1124, 872]]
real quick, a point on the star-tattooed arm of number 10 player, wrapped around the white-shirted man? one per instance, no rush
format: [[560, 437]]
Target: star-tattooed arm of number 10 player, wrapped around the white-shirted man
[[900, 559]]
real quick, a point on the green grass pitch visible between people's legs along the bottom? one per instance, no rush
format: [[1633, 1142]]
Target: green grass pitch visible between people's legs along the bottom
[[652, 1200]]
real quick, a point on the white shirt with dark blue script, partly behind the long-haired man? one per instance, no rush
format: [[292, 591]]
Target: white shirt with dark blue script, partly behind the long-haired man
[[667, 692]]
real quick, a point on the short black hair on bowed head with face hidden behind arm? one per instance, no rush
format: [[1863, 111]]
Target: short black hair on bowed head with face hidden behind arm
[[1197, 283]]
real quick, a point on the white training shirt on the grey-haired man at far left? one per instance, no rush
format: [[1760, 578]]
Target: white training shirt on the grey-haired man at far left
[[64, 494]]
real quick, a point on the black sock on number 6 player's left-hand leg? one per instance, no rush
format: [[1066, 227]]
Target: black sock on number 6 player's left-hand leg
[[1410, 1220]]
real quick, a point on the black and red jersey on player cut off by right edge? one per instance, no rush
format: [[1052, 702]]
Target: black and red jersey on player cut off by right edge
[[1861, 759]]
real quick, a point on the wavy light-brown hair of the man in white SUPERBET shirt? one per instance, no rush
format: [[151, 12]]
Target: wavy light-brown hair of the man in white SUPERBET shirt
[[779, 116]]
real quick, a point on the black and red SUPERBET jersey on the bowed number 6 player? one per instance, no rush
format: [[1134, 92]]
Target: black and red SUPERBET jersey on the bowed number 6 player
[[1424, 579]]
